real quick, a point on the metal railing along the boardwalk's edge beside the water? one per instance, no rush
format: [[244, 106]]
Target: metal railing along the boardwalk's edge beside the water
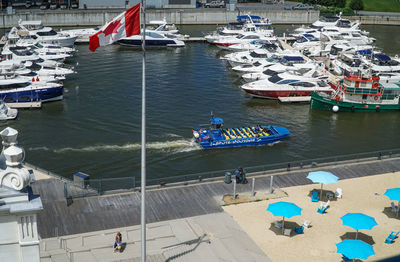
[[96, 187]]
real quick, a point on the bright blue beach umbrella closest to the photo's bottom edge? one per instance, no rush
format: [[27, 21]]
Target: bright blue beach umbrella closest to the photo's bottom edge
[[355, 249]]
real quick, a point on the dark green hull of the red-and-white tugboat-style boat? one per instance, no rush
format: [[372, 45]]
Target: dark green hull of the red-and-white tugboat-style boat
[[325, 103]]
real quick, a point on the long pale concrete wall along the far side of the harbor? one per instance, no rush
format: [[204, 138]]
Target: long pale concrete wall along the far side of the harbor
[[176, 16]]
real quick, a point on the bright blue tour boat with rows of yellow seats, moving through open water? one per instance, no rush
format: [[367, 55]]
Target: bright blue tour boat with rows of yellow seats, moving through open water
[[218, 137]]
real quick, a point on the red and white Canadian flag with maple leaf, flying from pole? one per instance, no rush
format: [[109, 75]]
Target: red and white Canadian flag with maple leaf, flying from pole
[[124, 25]]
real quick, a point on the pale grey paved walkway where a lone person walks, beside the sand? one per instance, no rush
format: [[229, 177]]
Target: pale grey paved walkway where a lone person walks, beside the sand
[[214, 237]]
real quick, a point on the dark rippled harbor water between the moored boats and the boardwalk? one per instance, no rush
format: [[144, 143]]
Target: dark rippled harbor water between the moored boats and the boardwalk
[[96, 129]]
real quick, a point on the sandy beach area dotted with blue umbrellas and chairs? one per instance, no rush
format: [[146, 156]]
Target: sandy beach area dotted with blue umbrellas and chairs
[[360, 195]]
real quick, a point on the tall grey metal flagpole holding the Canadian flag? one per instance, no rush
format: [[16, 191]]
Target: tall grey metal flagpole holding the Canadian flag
[[143, 151]]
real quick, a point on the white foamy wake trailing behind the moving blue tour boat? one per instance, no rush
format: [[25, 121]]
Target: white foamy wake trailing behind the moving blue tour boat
[[174, 146]]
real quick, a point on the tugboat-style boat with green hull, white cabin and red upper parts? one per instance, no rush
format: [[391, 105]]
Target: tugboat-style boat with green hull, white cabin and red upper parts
[[358, 93]]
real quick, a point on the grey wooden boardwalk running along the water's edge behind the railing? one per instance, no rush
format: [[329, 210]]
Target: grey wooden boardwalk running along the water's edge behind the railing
[[121, 210]]
